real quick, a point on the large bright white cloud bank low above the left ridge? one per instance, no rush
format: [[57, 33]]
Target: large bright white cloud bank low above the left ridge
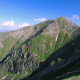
[[10, 25]]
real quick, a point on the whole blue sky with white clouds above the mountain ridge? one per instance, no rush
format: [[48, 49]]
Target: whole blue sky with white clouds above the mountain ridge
[[15, 14]]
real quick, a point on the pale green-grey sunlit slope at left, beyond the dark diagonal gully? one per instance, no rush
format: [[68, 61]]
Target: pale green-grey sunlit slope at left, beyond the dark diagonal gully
[[9, 39]]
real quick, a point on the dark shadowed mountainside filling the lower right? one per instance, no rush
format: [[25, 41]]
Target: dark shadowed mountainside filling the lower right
[[70, 62]]
